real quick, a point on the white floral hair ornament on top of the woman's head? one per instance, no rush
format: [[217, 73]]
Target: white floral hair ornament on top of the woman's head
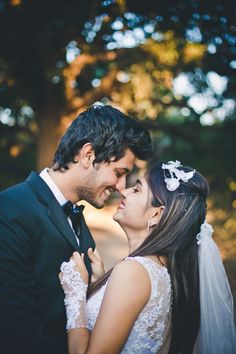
[[172, 183]]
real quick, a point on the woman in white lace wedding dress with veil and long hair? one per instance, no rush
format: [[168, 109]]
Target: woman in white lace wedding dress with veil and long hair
[[171, 294]]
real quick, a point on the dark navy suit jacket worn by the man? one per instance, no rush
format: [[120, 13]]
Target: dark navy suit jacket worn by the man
[[35, 238]]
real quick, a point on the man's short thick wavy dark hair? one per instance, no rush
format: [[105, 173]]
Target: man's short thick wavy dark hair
[[109, 131]]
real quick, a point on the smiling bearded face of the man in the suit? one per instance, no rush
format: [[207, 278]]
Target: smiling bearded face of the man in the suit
[[105, 178]]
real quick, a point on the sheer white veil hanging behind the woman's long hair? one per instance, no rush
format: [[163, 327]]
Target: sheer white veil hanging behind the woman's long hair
[[217, 333]]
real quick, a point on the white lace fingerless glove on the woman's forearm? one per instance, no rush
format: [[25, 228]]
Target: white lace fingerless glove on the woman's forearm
[[75, 296]]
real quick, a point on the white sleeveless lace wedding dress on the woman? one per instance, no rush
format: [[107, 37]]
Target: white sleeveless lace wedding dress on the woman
[[151, 327]]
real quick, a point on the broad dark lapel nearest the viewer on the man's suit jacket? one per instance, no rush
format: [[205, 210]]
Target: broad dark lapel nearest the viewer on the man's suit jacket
[[55, 211]]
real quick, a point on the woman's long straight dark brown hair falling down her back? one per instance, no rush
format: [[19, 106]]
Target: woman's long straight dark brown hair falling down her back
[[174, 238]]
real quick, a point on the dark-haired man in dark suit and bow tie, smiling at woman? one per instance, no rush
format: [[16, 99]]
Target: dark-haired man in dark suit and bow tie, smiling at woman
[[37, 231]]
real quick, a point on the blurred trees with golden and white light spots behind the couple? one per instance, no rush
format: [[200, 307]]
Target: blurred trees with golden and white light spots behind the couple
[[171, 64]]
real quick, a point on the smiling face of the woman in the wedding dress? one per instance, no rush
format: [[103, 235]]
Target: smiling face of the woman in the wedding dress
[[135, 209]]
